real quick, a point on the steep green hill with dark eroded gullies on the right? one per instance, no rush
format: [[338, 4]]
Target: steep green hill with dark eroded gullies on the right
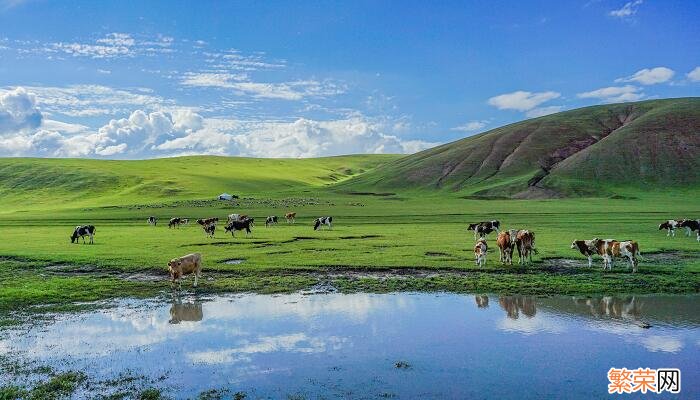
[[599, 150]]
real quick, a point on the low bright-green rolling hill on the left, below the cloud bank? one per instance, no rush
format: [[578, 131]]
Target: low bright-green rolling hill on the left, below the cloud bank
[[27, 183]]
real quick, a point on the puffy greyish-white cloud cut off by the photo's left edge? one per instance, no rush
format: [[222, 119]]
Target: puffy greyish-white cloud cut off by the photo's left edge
[[18, 111]]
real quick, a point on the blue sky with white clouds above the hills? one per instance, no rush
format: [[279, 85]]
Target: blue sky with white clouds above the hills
[[133, 79]]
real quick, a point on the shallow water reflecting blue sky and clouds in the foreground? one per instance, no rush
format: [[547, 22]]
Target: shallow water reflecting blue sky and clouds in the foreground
[[347, 346]]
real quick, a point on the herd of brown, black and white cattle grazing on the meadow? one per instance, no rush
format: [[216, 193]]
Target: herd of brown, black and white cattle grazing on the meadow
[[507, 241]]
